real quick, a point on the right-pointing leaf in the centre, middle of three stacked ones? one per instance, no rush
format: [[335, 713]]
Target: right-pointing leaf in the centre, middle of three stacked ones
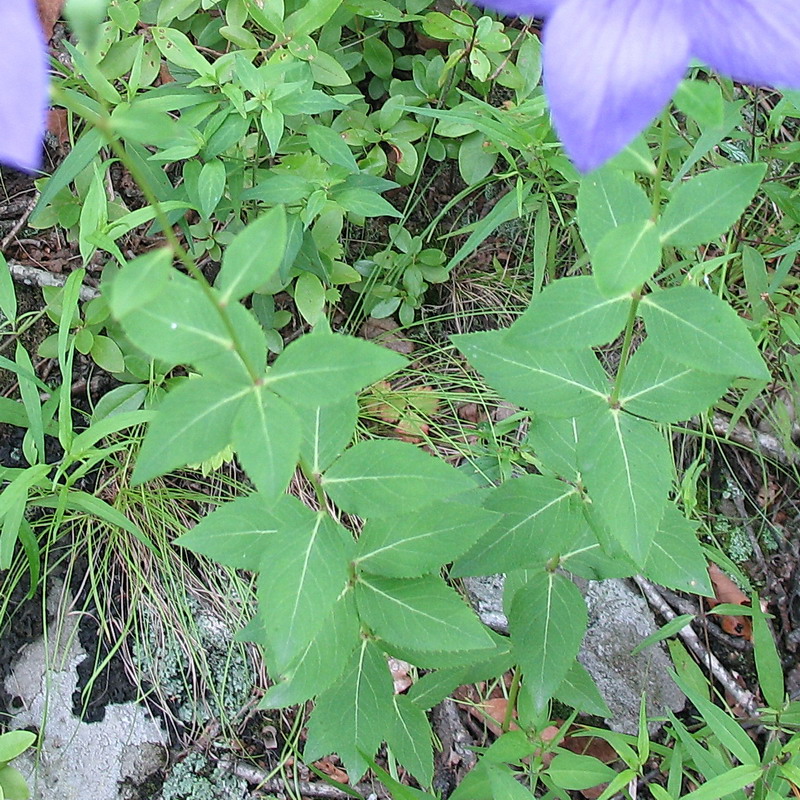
[[409, 546]]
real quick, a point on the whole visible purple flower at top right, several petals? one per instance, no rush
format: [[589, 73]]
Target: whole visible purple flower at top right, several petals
[[610, 66]]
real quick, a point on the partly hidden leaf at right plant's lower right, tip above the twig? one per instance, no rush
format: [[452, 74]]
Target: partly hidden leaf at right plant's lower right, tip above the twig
[[676, 559]]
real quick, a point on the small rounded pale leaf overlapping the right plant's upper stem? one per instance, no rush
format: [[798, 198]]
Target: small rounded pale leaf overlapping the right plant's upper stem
[[626, 257]]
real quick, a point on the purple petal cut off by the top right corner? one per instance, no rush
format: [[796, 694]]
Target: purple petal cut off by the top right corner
[[752, 41]]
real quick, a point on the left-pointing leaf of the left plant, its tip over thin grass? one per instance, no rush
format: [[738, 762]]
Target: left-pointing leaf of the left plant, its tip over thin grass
[[235, 534]]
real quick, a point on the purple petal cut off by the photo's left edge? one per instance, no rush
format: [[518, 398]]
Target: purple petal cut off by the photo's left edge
[[24, 85]]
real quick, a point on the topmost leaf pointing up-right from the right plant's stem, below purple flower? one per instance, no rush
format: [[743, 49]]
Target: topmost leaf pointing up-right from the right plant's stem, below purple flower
[[707, 205]]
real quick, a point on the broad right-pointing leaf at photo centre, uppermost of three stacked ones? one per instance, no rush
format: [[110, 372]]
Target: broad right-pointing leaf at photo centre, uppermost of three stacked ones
[[380, 477]]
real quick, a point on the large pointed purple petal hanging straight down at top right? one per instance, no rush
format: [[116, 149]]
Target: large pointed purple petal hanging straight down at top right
[[610, 66]]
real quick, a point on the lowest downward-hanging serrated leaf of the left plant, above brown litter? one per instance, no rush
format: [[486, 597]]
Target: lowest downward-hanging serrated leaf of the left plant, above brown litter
[[350, 717]]
